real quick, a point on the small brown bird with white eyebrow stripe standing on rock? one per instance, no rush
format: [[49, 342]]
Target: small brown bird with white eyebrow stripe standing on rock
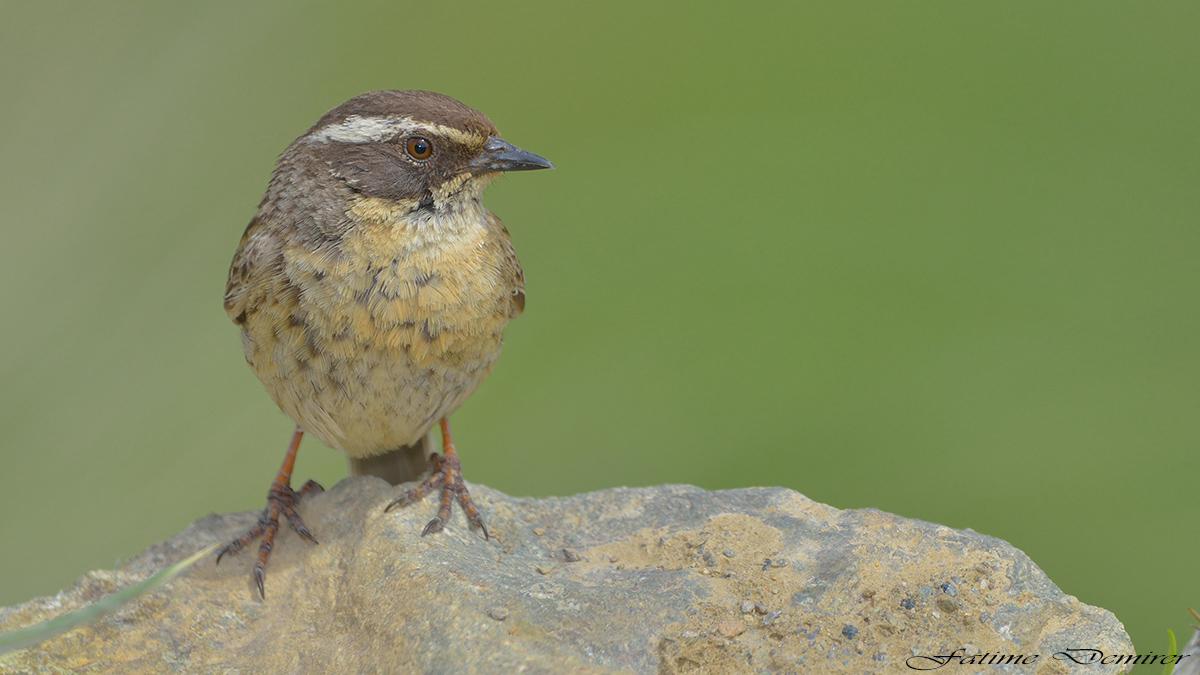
[[373, 289]]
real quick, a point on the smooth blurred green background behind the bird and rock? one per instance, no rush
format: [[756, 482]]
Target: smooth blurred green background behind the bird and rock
[[939, 259]]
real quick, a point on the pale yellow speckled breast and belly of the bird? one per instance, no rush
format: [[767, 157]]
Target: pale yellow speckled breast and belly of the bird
[[369, 345]]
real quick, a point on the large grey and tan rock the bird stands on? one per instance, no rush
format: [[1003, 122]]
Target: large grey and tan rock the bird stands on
[[377, 598]]
